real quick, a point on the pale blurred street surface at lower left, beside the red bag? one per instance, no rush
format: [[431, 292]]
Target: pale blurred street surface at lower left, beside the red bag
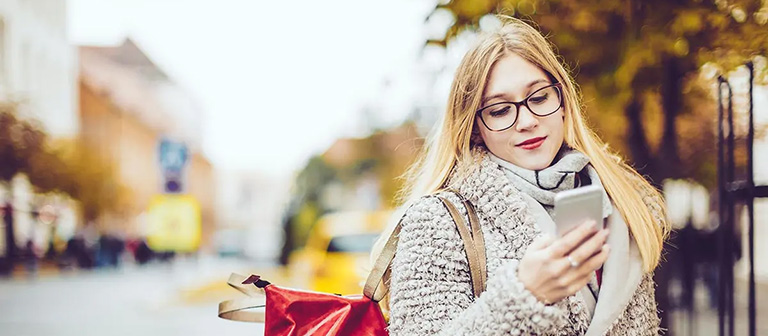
[[160, 299]]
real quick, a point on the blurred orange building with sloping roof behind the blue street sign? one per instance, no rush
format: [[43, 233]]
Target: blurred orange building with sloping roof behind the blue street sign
[[127, 105]]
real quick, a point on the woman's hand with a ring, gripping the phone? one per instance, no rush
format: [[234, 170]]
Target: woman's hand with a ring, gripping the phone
[[554, 269]]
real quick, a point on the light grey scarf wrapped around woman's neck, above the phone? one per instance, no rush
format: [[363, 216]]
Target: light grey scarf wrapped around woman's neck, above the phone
[[571, 169]]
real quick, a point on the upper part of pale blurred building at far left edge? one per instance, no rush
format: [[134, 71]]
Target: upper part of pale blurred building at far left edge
[[37, 63]]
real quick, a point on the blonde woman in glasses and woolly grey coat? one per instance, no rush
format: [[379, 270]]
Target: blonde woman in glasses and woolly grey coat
[[512, 136]]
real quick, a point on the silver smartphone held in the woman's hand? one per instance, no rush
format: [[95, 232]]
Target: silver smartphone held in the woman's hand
[[574, 207]]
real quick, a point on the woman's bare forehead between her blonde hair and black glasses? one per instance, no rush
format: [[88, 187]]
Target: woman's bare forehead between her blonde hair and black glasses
[[511, 76]]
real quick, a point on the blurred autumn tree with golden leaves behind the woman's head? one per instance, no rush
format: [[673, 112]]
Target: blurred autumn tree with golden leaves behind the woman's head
[[642, 58]]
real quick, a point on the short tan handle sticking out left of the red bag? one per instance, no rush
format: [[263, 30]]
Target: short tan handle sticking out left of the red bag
[[236, 309]]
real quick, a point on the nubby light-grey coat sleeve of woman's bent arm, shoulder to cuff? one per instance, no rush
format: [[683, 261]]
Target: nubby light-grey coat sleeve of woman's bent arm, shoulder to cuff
[[431, 294]]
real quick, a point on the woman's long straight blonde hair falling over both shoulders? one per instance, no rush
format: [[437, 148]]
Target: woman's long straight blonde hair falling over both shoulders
[[450, 144]]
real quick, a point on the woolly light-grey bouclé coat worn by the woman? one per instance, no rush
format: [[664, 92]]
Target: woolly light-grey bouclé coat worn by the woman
[[430, 290]]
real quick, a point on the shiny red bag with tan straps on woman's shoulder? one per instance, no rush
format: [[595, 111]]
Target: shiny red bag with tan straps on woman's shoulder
[[292, 312]]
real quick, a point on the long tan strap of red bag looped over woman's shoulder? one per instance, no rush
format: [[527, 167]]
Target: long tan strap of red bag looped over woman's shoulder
[[474, 246]]
